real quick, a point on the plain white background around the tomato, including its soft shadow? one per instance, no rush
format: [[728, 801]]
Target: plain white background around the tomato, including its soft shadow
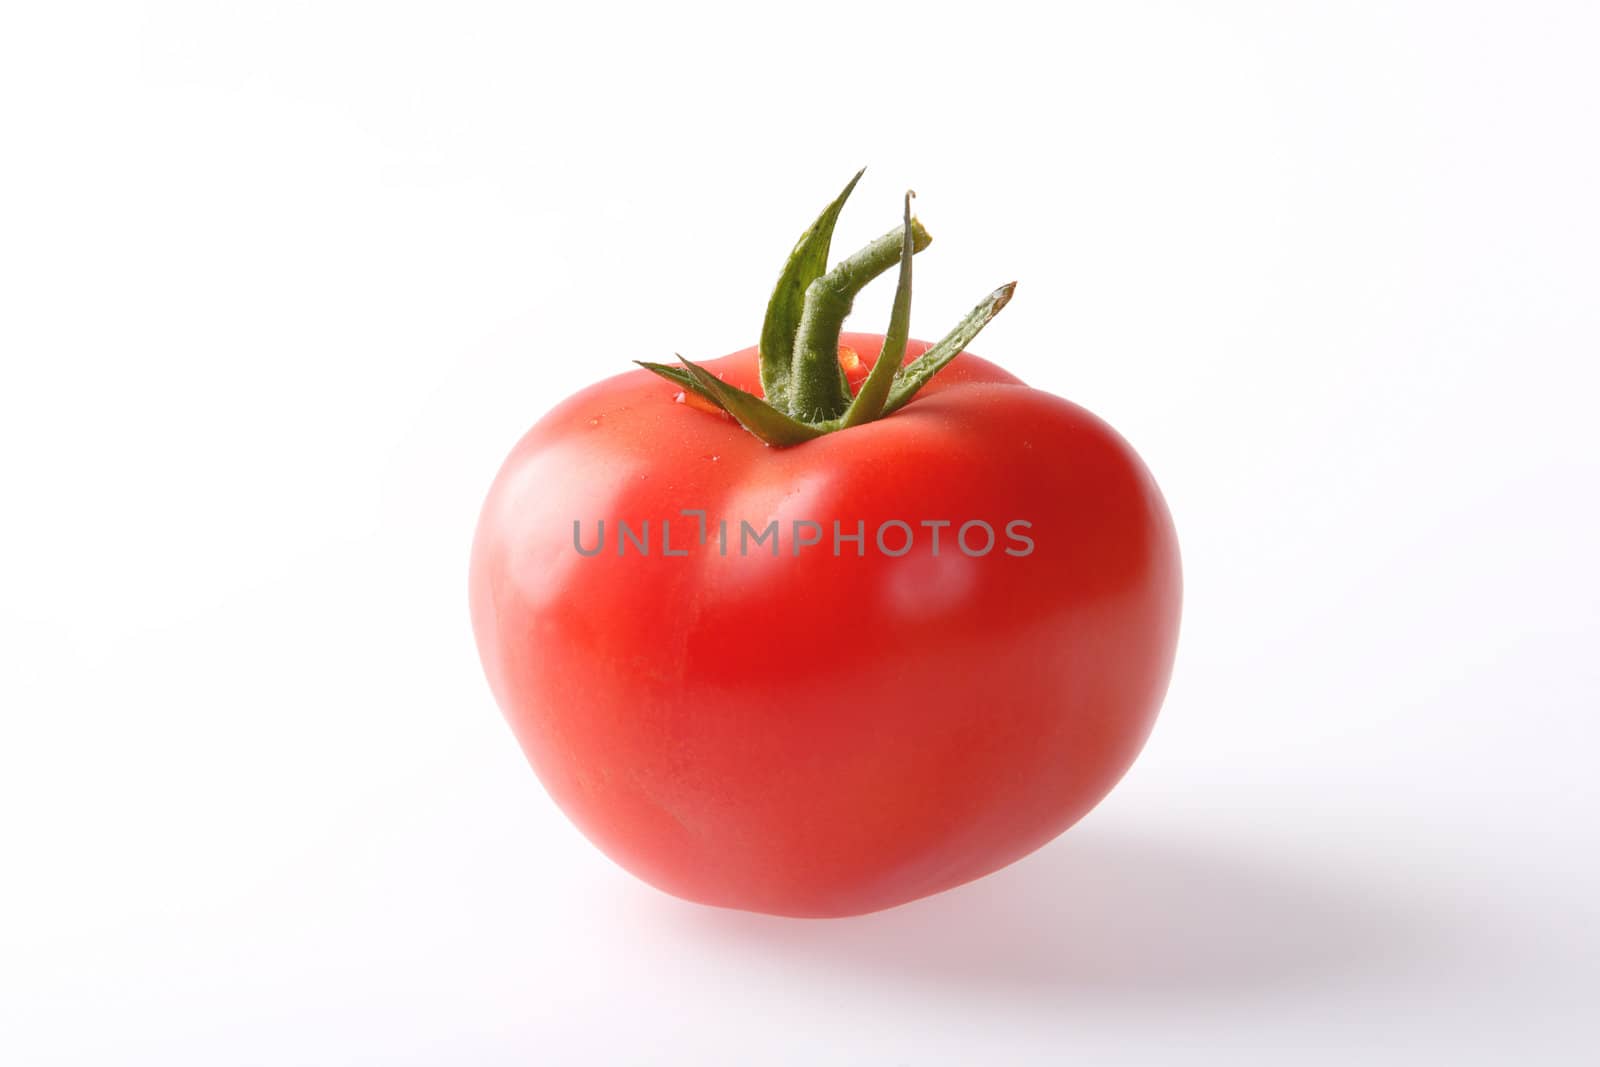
[[282, 282]]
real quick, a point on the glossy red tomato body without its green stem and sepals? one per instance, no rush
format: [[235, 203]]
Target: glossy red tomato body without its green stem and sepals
[[818, 735]]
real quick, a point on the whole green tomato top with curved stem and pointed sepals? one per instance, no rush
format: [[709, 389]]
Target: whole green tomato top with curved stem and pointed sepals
[[807, 391]]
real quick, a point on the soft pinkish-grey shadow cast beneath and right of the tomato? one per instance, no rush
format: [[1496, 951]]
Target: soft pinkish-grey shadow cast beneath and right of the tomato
[[1111, 916]]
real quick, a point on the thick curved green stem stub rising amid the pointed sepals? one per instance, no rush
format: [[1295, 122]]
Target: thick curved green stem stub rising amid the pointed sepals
[[817, 383]]
